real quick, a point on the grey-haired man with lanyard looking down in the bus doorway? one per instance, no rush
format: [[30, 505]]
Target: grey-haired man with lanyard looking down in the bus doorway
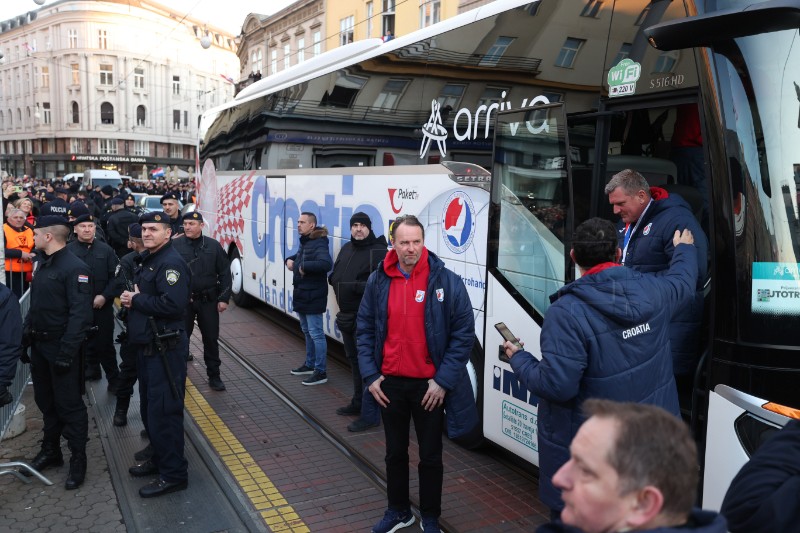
[[649, 217]]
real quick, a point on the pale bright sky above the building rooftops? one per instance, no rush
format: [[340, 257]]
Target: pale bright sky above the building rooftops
[[225, 14]]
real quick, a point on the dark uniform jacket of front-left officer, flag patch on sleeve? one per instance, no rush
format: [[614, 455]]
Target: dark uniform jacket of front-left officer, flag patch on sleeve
[[61, 303]]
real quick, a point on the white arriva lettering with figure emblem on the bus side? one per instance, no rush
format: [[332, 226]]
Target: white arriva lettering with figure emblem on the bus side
[[466, 125]]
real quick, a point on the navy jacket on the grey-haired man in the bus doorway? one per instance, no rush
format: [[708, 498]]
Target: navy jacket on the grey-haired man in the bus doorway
[[650, 249]]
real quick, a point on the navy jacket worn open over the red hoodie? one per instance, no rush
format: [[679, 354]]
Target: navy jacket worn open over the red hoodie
[[449, 331]]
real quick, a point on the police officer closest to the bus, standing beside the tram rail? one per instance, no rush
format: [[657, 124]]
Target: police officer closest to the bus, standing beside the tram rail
[[211, 290]]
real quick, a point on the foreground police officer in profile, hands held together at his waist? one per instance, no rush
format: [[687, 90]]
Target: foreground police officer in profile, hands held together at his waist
[[156, 309]]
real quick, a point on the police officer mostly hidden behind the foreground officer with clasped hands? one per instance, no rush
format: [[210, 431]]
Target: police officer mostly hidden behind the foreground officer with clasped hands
[[127, 351]]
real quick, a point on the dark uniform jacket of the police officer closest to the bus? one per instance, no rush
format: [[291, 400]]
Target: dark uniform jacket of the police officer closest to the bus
[[211, 273]]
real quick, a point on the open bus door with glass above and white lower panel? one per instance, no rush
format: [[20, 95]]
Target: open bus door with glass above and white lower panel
[[529, 228]]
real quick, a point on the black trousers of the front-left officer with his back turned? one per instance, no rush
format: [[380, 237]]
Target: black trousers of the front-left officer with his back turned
[[58, 397]]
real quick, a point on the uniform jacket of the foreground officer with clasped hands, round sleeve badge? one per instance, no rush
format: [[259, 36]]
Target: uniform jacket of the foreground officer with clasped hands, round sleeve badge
[[164, 282]]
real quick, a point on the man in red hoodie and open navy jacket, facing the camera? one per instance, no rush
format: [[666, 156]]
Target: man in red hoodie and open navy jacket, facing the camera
[[415, 331]]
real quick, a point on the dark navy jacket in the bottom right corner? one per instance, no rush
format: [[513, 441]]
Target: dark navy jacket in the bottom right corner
[[764, 495]]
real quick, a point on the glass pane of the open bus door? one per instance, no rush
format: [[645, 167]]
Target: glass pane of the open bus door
[[530, 172]]
